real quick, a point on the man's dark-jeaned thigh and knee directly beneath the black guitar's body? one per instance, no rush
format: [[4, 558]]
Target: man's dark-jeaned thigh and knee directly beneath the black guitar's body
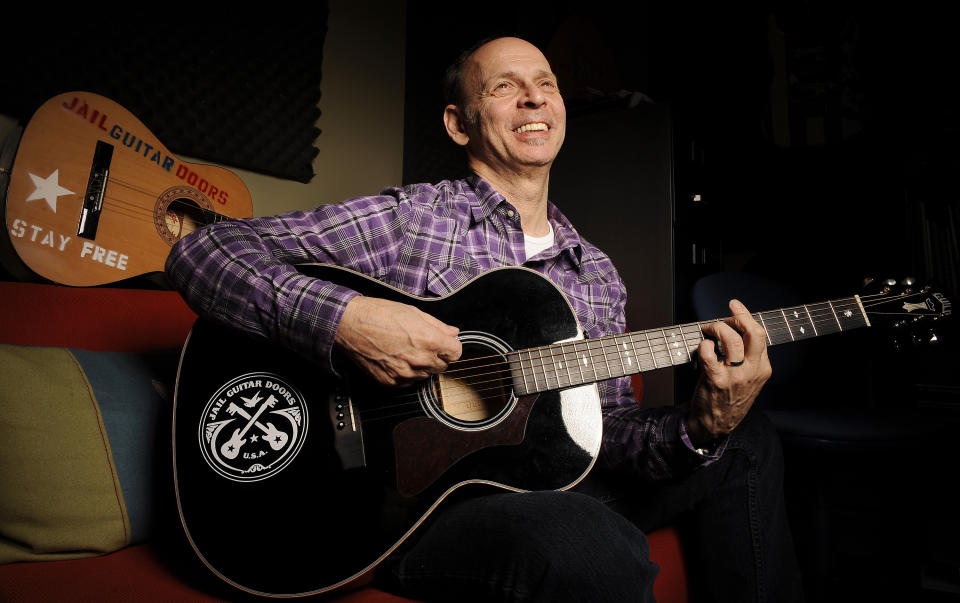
[[531, 546]]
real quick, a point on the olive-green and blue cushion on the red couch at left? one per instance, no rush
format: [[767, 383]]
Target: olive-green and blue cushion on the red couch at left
[[80, 435]]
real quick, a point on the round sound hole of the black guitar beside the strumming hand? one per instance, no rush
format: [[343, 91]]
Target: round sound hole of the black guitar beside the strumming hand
[[475, 391]]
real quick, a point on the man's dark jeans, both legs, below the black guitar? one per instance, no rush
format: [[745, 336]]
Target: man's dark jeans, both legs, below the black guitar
[[589, 544]]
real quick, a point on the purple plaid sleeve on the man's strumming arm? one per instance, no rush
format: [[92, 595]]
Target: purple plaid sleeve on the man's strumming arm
[[243, 273]]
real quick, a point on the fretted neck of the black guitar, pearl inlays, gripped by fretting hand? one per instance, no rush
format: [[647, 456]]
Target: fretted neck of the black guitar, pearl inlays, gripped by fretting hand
[[581, 362]]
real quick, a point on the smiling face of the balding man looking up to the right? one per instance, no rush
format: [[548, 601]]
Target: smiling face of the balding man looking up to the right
[[519, 119]]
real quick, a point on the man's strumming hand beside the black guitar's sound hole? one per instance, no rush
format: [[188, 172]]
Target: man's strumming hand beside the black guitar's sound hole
[[394, 342]]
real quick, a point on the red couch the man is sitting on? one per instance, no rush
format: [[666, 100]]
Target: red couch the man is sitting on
[[160, 568]]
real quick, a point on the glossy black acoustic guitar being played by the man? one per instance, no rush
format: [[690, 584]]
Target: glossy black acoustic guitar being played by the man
[[292, 483]]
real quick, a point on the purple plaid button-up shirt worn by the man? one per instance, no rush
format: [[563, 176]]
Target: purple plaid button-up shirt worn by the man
[[426, 239]]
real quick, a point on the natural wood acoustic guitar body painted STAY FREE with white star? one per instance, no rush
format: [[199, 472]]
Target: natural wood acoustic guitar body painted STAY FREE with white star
[[95, 198]]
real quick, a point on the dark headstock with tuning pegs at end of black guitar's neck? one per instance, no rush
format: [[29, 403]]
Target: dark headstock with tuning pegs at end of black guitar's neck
[[907, 306]]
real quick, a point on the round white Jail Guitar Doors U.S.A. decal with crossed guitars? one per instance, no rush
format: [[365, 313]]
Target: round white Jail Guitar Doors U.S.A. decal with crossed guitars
[[253, 427]]
